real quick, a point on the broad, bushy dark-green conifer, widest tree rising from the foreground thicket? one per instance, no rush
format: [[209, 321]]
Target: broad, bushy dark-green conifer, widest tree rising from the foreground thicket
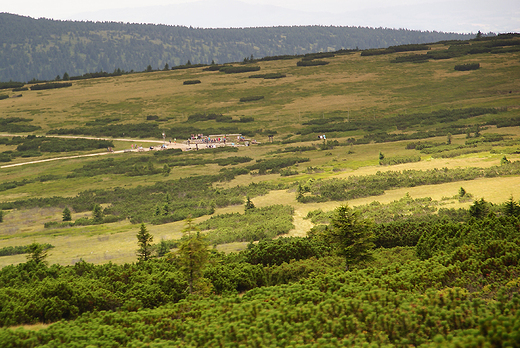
[[350, 234]]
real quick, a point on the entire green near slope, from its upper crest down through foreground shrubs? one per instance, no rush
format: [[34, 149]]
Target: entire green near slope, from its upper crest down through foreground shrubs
[[362, 198]]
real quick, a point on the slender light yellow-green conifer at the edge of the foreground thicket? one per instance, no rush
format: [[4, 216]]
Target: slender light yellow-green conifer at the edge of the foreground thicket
[[193, 254]]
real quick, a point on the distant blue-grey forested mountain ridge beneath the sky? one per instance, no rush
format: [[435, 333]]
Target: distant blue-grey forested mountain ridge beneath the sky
[[43, 48]]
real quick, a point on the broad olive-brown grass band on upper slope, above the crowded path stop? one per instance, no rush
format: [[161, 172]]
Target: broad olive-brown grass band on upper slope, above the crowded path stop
[[367, 86]]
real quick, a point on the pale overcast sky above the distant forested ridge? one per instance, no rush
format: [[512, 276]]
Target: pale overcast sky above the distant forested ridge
[[461, 16]]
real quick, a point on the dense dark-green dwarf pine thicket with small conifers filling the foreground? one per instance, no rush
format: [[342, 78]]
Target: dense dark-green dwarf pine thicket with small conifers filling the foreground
[[455, 284]]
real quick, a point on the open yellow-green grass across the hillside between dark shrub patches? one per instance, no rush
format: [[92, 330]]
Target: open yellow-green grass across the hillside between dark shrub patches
[[351, 87]]
